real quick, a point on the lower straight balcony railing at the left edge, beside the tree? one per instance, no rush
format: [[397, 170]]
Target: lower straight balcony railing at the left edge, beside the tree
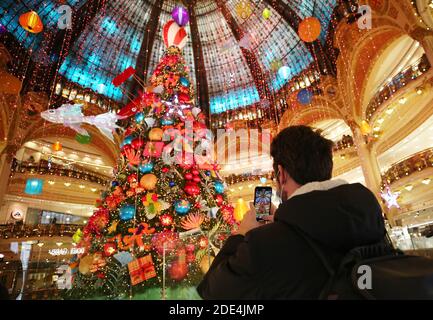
[[10, 231]]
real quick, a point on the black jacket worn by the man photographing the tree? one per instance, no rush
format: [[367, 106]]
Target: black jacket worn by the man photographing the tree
[[274, 262]]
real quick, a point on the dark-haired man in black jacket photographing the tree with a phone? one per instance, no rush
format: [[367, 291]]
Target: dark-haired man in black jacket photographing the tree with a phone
[[274, 260]]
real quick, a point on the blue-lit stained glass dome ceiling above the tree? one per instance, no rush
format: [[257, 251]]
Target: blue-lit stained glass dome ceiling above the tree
[[117, 36]]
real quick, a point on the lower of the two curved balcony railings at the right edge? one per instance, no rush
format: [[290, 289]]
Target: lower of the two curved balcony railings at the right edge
[[408, 166]]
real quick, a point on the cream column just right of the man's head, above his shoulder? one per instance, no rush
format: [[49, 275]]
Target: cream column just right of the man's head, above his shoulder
[[369, 164]]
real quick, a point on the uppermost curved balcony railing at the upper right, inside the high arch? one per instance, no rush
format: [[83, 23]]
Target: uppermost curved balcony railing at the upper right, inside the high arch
[[399, 81]]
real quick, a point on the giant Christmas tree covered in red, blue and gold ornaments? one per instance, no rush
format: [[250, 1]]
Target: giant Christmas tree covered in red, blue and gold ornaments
[[166, 213]]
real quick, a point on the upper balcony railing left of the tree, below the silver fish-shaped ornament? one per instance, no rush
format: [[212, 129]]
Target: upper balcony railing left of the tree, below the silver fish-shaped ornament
[[44, 168]]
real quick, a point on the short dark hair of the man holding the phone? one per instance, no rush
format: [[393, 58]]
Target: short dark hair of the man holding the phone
[[303, 153]]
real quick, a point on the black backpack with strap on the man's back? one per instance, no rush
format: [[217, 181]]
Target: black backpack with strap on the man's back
[[375, 272]]
